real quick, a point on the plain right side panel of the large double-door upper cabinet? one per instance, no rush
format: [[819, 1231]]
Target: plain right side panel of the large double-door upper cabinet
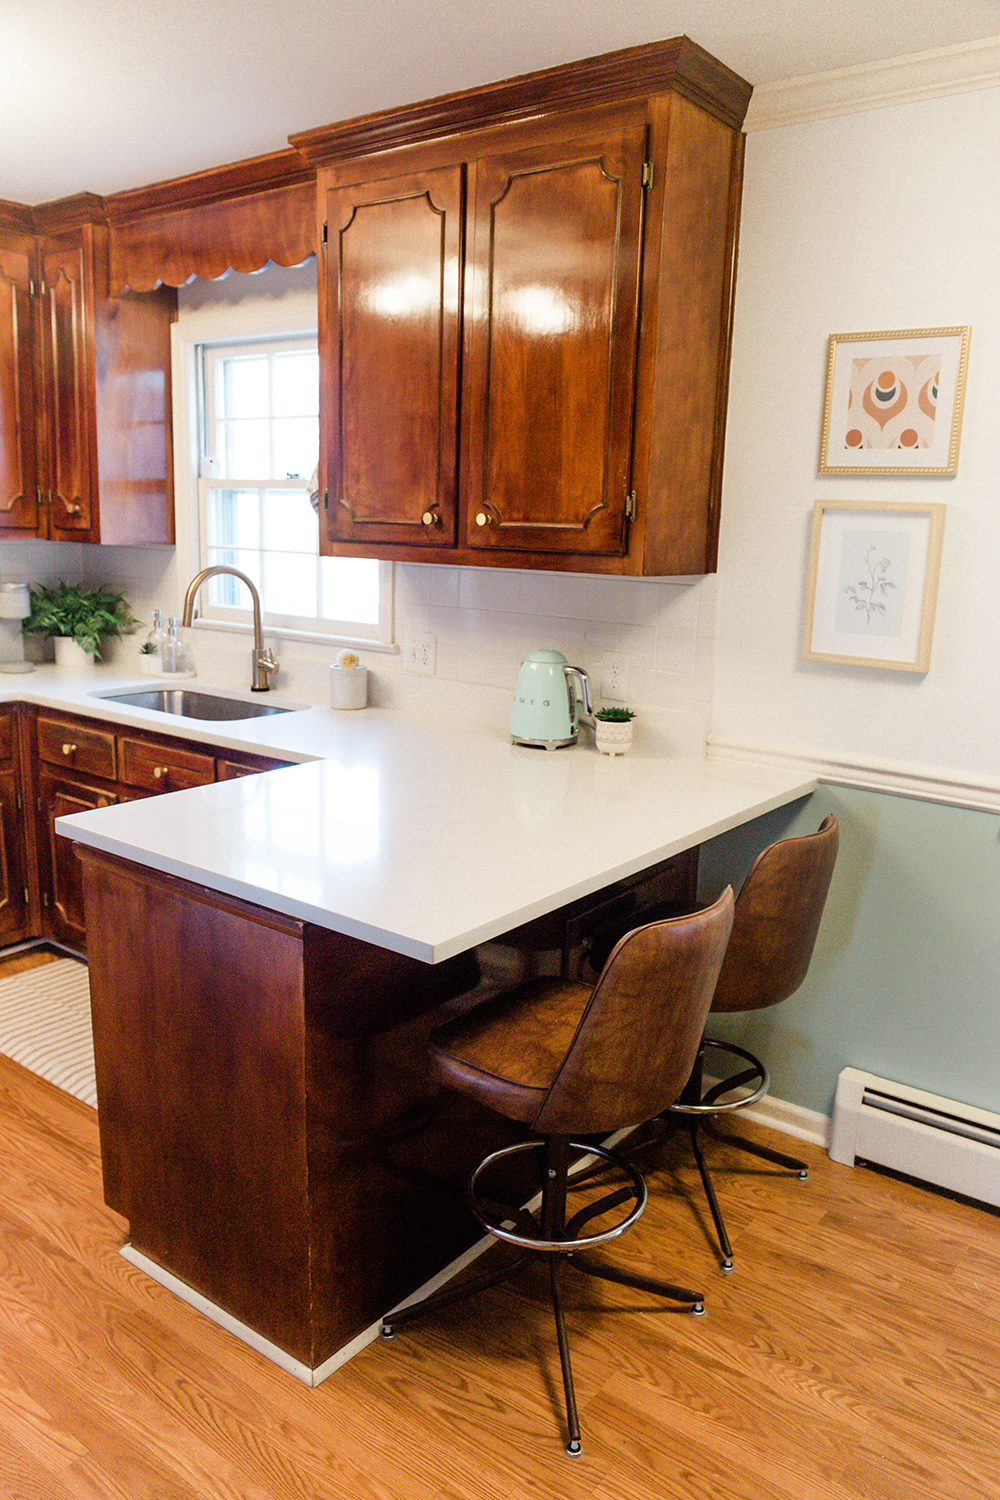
[[686, 338]]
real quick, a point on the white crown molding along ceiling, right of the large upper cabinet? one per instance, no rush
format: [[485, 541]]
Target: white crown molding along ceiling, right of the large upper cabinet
[[876, 86]]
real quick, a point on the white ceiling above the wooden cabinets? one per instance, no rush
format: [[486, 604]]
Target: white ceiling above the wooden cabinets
[[104, 95]]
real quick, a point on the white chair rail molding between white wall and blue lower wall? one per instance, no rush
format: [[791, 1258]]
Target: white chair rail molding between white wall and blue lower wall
[[926, 784]]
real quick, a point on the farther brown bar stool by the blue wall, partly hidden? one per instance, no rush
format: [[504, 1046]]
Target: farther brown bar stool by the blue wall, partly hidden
[[774, 932]]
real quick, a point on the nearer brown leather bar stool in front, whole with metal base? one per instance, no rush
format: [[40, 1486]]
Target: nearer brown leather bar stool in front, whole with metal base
[[575, 1060]]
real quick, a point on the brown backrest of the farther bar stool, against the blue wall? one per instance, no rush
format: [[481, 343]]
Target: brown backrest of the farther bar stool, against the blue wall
[[777, 919]]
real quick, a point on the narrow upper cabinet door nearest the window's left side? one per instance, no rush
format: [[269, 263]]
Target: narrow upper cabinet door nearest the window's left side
[[68, 388]]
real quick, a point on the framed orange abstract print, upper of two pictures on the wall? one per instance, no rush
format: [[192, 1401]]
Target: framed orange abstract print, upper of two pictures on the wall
[[894, 403]]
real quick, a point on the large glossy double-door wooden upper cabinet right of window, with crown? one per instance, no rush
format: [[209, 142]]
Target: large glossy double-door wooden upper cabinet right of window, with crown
[[594, 304]]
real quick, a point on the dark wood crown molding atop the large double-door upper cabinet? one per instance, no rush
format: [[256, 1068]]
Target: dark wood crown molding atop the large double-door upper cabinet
[[678, 65]]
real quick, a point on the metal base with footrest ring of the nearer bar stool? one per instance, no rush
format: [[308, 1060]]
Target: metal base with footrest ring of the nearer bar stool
[[561, 1241]]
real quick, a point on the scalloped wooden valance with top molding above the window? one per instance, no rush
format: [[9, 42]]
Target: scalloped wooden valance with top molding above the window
[[233, 218]]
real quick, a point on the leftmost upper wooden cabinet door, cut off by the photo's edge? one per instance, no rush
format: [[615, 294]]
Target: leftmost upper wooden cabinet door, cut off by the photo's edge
[[19, 508]]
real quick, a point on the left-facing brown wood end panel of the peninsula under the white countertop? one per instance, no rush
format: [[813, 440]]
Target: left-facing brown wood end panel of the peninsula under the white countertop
[[199, 1042]]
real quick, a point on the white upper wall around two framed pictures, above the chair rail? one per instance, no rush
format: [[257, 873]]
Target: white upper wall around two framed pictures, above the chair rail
[[884, 220]]
